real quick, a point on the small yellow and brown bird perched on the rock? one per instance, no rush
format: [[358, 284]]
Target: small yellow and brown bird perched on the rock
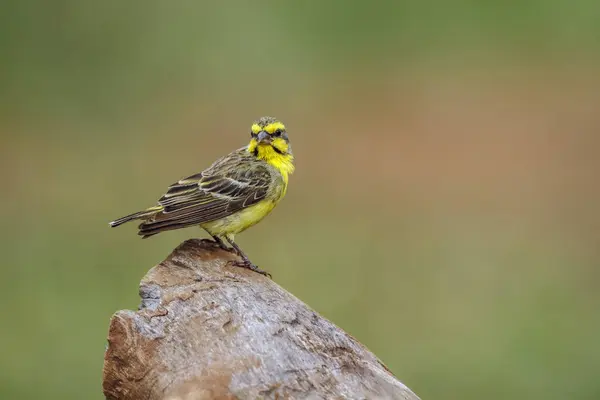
[[236, 192]]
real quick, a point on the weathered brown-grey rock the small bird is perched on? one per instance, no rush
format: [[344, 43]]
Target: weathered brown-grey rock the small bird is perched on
[[207, 330]]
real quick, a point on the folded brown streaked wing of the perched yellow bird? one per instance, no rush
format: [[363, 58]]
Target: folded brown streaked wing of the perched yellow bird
[[231, 184]]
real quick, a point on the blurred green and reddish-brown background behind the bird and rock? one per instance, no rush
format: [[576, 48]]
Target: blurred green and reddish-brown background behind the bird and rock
[[445, 209]]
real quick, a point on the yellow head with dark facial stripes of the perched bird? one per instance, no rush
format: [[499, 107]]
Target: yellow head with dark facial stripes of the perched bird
[[269, 139]]
